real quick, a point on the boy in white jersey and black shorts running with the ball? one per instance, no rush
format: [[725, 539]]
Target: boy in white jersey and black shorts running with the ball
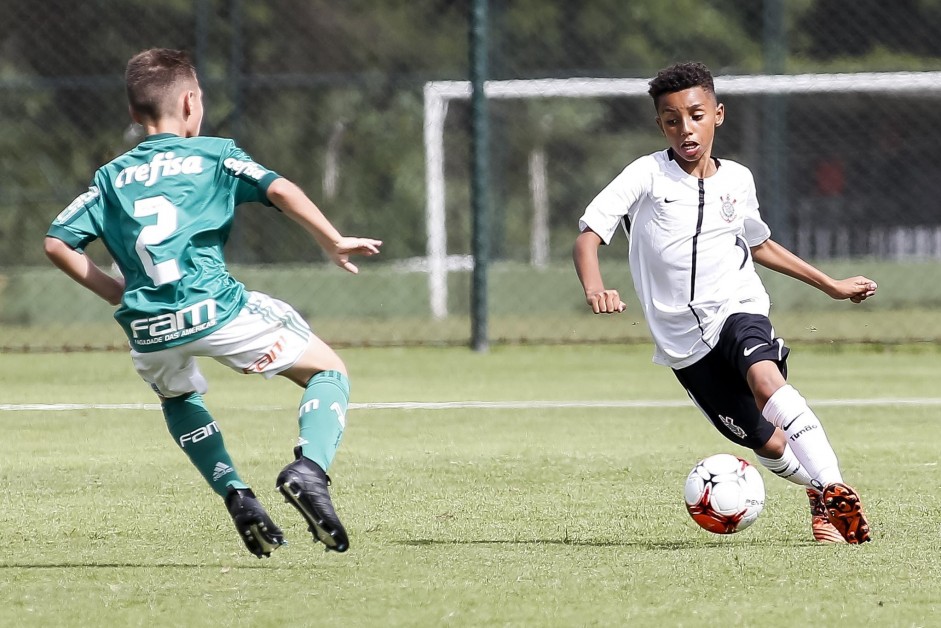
[[694, 233]]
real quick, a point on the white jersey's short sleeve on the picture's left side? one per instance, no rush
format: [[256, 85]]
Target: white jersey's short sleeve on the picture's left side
[[604, 214]]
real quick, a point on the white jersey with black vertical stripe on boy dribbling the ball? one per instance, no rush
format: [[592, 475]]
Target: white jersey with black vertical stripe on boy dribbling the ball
[[689, 249]]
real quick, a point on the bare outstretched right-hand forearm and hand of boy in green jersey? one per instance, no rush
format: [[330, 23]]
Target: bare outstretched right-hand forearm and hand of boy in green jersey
[[290, 199]]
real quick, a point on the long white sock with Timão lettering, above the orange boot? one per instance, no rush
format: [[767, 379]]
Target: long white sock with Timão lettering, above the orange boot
[[788, 410]]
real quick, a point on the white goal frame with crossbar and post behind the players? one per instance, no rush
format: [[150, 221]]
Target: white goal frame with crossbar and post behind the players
[[437, 95]]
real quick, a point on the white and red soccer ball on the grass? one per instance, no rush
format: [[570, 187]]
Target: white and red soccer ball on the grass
[[724, 494]]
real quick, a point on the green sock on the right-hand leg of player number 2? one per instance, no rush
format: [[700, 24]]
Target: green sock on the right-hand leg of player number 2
[[322, 416]]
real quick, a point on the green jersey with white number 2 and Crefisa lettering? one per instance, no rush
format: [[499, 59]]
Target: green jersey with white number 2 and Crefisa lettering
[[164, 211]]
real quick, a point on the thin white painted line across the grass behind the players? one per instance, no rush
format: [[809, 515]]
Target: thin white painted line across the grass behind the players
[[459, 405]]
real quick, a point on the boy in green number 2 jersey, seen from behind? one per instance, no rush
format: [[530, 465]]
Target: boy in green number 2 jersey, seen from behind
[[164, 210]]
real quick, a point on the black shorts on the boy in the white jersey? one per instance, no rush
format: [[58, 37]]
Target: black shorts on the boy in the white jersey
[[717, 383]]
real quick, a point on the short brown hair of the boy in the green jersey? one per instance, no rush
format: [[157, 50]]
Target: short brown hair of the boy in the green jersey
[[153, 79]]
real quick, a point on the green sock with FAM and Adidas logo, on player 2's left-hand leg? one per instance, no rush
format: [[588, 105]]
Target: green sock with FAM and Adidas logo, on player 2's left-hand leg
[[198, 435]]
